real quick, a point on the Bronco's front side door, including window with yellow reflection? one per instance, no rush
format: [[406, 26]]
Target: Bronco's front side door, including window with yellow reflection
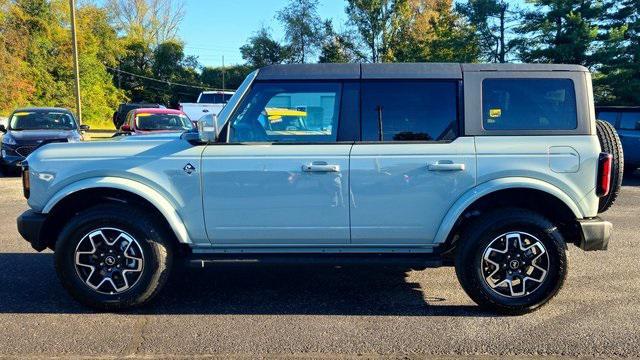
[[282, 177]]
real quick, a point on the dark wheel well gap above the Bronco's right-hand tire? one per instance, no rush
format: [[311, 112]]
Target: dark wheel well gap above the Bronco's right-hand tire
[[539, 201]]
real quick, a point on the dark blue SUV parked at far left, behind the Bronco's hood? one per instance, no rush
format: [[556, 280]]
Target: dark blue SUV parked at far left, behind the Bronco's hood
[[29, 128]]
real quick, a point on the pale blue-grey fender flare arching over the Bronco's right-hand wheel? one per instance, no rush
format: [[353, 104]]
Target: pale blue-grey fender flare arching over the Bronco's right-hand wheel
[[468, 198]]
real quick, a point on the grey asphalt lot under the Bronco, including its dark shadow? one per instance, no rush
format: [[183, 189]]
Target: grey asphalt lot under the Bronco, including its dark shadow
[[312, 311]]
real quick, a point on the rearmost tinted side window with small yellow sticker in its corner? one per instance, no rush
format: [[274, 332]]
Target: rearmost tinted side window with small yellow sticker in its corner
[[528, 104]]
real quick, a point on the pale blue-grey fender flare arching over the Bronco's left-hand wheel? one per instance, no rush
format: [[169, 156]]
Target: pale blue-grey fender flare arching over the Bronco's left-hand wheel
[[146, 192]]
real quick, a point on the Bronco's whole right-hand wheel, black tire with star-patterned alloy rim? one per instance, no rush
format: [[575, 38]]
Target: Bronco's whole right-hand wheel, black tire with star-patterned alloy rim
[[485, 236]]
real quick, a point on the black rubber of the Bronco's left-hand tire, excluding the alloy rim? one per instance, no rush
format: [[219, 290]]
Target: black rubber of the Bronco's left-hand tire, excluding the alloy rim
[[156, 243]]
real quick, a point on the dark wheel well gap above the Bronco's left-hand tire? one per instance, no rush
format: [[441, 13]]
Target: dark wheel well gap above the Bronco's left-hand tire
[[78, 201]]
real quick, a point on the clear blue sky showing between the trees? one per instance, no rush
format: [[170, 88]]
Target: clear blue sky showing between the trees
[[213, 28]]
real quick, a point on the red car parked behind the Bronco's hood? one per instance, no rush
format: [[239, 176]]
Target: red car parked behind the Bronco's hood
[[151, 120]]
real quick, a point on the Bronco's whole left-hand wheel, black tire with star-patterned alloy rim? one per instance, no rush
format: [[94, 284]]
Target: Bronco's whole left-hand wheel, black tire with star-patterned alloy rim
[[141, 245]]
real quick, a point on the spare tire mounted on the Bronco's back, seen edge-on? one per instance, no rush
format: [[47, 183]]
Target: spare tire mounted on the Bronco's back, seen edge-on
[[610, 143]]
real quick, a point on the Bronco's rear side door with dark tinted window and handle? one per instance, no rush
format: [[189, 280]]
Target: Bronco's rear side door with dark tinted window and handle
[[412, 164]]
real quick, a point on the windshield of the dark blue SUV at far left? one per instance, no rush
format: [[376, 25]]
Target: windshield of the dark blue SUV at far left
[[41, 120]]
